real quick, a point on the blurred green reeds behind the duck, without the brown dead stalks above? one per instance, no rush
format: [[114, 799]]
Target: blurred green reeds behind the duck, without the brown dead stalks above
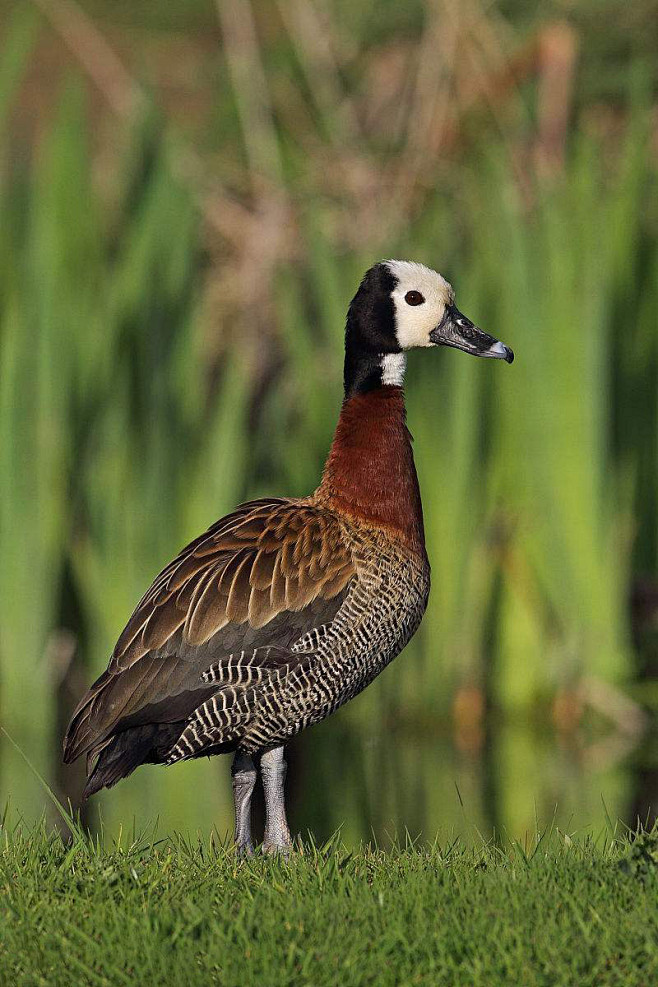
[[116, 446]]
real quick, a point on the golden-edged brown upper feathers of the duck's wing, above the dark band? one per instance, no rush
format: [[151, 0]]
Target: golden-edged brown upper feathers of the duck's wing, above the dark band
[[293, 550]]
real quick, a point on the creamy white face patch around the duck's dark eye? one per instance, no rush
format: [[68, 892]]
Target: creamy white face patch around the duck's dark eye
[[414, 322]]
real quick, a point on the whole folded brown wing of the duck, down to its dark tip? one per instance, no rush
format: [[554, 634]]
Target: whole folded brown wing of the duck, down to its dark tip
[[263, 575]]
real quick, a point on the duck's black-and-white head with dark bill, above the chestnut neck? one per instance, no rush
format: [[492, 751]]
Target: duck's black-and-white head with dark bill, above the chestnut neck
[[401, 305]]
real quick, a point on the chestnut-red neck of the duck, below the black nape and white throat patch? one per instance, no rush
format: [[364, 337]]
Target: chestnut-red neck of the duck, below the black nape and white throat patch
[[370, 473]]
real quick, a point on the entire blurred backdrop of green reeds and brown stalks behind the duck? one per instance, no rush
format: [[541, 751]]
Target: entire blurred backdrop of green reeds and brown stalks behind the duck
[[189, 193]]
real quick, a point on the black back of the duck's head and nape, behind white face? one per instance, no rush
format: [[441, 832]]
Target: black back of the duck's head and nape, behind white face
[[370, 331]]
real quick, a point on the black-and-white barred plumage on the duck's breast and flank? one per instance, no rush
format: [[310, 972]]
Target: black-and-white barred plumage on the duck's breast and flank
[[262, 700]]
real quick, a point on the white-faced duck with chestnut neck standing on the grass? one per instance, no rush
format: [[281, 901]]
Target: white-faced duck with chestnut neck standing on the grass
[[287, 608]]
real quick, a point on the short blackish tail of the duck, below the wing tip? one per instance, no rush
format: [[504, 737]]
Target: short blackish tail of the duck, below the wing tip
[[146, 744]]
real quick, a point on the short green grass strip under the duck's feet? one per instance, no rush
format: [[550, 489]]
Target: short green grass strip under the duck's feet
[[554, 912]]
